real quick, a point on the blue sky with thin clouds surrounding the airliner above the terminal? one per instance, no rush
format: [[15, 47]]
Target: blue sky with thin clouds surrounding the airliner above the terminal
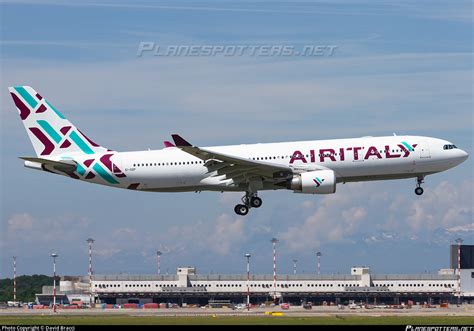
[[399, 67]]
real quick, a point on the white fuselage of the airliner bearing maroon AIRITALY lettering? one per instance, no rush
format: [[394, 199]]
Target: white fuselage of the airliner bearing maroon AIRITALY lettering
[[358, 159]]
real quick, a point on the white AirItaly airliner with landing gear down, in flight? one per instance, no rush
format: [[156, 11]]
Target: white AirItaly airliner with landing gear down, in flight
[[307, 167]]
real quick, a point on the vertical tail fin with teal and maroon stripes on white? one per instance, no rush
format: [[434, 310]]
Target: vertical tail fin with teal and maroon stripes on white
[[49, 131]]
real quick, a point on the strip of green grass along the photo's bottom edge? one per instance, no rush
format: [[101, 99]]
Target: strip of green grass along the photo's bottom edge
[[238, 320]]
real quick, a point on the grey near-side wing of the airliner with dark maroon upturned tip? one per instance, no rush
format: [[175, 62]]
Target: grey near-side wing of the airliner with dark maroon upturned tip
[[237, 168]]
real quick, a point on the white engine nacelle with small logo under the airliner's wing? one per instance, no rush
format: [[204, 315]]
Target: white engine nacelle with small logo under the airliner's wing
[[314, 182]]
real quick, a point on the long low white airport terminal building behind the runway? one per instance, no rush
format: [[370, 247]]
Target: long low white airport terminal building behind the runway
[[189, 287]]
